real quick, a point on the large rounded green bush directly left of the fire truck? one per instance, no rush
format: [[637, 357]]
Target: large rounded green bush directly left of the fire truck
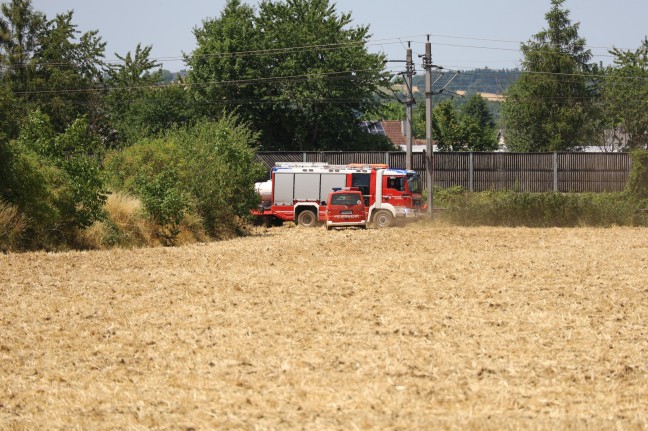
[[207, 170]]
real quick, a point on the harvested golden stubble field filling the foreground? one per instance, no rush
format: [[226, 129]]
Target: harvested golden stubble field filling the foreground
[[420, 327]]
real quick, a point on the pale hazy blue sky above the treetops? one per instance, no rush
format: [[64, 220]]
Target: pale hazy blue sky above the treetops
[[465, 34]]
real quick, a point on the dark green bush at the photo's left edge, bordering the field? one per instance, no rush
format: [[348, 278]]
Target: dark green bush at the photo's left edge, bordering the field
[[56, 181]]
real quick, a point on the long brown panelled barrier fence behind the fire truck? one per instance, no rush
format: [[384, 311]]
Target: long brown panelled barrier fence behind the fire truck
[[530, 172]]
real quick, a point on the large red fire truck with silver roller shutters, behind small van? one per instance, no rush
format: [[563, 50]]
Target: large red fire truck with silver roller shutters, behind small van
[[299, 191]]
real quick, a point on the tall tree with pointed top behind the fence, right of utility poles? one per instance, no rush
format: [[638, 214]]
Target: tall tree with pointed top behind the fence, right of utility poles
[[549, 107]]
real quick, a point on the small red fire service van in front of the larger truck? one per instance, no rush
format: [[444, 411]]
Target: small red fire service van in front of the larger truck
[[346, 208]]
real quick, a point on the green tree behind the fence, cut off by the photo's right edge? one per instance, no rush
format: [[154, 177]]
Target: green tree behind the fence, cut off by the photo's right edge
[[624, 96]]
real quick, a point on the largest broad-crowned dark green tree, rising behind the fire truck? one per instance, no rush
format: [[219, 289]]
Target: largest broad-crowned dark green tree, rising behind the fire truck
[[297, 71]]
